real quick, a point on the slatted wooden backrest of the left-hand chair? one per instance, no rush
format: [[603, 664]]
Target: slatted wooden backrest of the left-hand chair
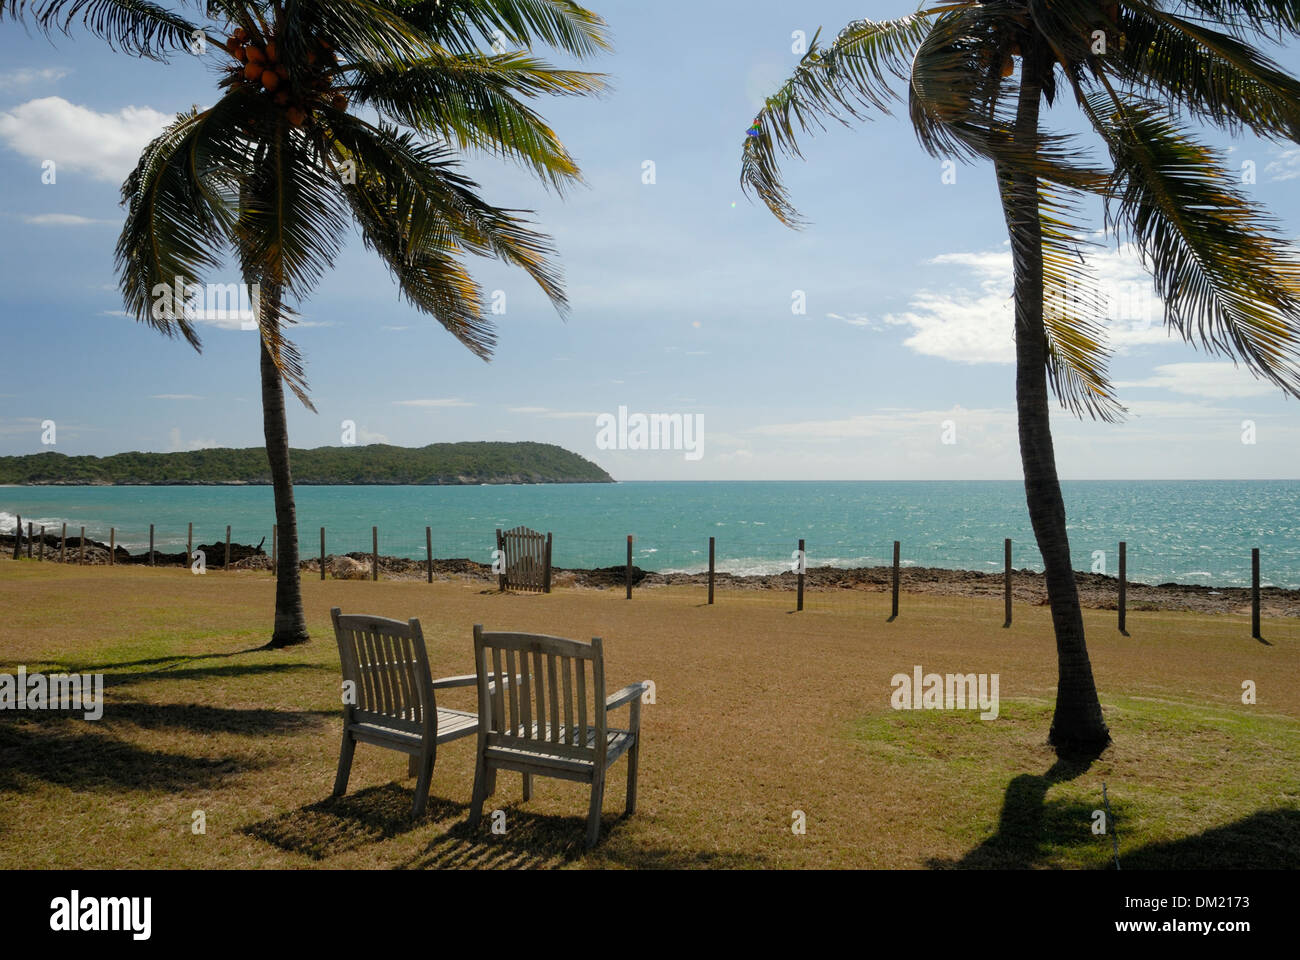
[[388, 667]]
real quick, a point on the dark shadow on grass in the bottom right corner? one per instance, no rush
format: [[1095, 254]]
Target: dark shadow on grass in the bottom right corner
[[1266, 841]]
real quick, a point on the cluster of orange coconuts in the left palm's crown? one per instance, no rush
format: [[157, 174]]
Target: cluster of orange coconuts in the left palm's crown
[[297, 89]]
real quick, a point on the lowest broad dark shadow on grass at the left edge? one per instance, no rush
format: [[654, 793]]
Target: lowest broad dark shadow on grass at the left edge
[[66, 753]]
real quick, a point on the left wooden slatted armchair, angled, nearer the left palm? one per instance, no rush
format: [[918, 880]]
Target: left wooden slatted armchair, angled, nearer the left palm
[[392, 698]]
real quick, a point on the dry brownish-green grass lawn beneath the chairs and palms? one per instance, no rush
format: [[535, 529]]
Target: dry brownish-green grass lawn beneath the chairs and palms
[[759, 712]]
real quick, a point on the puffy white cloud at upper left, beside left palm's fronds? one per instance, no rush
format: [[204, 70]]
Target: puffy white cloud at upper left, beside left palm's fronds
[[77, 139]]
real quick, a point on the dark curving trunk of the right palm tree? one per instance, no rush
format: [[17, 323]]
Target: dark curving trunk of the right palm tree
[[1078, 728]]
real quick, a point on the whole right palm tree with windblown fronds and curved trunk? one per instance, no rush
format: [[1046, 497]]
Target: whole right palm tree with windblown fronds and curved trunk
[[977, 76]]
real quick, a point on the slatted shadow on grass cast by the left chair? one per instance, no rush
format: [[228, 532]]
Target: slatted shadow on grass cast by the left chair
[[341, 824]]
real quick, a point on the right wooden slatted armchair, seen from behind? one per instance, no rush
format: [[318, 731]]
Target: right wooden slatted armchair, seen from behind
[[530, 728]]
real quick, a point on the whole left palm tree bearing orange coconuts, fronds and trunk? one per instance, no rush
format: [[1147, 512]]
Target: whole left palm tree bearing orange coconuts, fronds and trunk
[[330, 113]]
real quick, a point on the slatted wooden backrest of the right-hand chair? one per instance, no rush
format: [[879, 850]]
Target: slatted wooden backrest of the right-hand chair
[[553, 697]]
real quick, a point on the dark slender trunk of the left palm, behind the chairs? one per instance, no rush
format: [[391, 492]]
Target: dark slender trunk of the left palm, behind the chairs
[[291, 624]]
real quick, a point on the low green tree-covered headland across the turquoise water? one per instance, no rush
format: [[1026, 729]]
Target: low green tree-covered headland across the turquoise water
[[376, 464]]
